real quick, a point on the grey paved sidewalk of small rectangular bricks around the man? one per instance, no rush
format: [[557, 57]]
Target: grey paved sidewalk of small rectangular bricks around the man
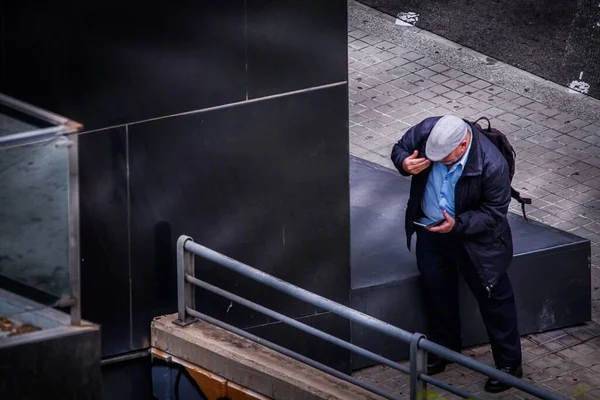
[[392, 88]]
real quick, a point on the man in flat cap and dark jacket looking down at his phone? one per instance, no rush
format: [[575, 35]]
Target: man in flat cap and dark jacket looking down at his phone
[[459, 197]]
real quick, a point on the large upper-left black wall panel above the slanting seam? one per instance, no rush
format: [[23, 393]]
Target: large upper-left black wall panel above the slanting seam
[[110, 62]]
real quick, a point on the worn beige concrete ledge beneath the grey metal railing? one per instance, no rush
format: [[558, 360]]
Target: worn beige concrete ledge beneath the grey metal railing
[[249, 364]]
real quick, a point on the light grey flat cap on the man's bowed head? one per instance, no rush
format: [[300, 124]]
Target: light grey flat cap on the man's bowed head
[[445, 136]]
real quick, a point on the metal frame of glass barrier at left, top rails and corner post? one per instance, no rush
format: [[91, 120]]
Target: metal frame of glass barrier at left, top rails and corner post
[[65, 132]]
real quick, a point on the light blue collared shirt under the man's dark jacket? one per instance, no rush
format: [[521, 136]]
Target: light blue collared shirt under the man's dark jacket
[[439, 192]]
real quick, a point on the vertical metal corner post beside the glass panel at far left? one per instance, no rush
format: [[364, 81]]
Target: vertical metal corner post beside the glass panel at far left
[[71, 142]]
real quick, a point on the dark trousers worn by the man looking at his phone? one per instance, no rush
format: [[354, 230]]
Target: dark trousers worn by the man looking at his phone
[[440, 257]]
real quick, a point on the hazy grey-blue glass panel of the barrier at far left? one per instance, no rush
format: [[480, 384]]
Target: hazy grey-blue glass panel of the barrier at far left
[[34, 219]]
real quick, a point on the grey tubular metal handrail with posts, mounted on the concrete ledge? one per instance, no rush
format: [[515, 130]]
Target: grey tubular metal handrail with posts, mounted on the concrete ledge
[[419, 345]]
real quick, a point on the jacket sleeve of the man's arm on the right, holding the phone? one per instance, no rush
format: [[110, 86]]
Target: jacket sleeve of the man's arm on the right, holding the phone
[[495, 200]]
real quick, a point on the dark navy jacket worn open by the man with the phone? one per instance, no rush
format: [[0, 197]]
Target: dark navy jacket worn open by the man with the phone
[[482, 197]]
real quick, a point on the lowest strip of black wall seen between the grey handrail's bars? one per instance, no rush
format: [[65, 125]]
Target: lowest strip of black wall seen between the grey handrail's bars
[[309, 345]]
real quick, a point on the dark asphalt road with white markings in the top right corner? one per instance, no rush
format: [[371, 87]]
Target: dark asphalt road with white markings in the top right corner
[[556, 40]]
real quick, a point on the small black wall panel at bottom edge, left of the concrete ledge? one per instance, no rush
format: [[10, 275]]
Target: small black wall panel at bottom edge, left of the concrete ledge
[[129, 380]]
